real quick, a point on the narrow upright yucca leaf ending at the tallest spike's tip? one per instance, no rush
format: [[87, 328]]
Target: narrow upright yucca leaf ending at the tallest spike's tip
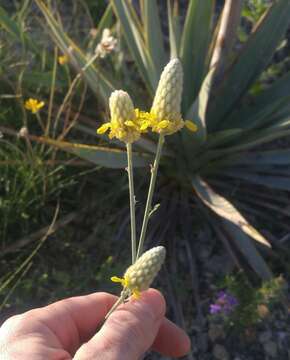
[[153, 34]]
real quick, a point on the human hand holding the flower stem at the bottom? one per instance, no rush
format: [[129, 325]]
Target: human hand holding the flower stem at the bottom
[[67, 329]]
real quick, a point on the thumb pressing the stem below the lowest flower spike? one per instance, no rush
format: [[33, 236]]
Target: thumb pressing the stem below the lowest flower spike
[[128, 332]]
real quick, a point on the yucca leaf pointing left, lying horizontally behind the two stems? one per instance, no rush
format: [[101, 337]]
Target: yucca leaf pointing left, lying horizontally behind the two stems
[[99, 155]]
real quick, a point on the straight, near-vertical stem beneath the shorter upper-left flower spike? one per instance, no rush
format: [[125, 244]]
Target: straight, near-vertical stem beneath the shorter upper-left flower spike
[[132, 202]]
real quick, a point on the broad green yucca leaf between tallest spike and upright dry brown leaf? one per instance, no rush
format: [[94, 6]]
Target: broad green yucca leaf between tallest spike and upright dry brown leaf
[[194, 47]]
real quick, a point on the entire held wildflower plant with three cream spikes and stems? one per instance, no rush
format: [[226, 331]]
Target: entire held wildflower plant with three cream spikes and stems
[[127, 124]]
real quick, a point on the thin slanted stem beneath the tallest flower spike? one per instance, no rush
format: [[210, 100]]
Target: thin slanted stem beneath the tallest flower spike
[[148, 207]]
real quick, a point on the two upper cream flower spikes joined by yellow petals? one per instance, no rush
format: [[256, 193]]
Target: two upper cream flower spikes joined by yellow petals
[[165, 118]]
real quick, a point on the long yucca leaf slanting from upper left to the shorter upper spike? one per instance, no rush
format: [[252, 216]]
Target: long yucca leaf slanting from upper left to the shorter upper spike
[[97, 79]]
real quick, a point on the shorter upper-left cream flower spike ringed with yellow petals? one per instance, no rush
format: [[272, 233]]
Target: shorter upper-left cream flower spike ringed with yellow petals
[[124, 122]]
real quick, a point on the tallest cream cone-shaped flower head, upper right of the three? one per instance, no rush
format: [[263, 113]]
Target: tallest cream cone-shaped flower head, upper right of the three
[[166, 107]]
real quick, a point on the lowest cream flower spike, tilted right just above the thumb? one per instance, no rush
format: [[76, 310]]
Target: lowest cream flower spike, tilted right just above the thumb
[[139, 276]]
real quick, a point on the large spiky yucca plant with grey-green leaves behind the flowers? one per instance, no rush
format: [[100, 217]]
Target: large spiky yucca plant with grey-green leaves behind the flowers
[[221, 172]]
